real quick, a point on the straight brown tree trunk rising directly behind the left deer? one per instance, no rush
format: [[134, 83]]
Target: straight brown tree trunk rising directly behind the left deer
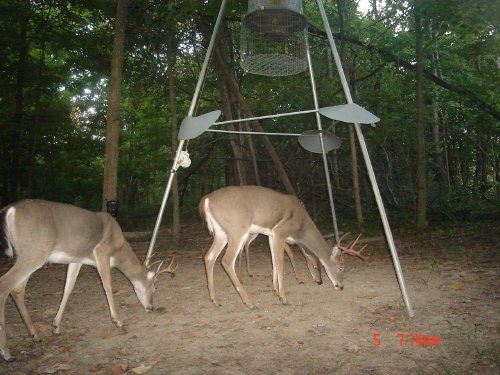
[[110, 178]]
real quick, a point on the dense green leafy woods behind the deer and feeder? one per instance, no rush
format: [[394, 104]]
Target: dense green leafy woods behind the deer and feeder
[[428, 69]]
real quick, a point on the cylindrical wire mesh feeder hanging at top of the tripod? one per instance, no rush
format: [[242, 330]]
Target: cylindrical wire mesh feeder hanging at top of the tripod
[[273, 38]]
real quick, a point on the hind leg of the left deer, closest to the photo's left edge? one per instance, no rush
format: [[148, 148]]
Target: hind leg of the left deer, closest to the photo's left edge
[[17, 275]]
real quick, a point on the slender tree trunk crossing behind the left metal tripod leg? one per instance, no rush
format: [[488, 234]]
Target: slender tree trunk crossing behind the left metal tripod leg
[[171, 58]]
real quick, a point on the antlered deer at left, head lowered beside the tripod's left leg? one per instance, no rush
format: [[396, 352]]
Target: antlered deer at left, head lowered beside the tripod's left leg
[[39, 232]]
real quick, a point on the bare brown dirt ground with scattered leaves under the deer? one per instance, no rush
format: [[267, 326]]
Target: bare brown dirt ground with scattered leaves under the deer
[[453, 281]]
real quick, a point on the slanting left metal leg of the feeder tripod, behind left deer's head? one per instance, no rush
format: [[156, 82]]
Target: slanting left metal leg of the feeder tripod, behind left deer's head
[[194, 101]]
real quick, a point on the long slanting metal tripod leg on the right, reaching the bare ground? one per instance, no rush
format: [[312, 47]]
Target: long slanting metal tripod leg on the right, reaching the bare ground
[[369, 167]]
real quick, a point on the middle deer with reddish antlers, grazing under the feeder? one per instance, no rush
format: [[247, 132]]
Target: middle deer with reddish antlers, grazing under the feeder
[[234, 213]]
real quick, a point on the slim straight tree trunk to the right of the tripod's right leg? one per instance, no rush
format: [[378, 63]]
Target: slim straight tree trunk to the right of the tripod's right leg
[[421, 168]]
